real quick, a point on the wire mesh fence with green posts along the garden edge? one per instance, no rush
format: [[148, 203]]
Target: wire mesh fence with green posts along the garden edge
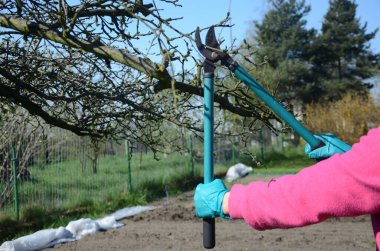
[[57, 169]]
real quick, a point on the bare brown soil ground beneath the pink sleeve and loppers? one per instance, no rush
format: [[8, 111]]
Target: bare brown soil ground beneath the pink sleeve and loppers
[[172, 226]]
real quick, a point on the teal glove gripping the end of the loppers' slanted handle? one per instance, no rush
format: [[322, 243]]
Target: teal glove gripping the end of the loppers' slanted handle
[[332, 145]]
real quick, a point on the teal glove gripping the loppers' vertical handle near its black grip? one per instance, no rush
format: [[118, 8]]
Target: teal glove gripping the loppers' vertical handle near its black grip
[[208, 199]]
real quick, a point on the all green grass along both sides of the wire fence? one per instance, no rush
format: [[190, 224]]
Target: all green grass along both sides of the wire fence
[[61, 192]]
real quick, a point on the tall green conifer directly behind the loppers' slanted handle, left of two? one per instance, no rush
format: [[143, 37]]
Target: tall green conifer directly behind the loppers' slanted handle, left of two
[[284, 42]]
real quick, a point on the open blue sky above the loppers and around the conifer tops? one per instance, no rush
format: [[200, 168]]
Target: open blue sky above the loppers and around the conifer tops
[[207, 12]]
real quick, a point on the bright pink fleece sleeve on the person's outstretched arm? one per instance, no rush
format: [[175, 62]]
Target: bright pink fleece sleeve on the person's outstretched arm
[[344, 185]]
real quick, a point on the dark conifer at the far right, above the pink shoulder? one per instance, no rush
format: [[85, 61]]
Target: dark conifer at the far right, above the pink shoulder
[[342, 60]]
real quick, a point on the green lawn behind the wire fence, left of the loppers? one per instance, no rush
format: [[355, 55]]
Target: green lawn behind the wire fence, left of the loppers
[[66, 185]]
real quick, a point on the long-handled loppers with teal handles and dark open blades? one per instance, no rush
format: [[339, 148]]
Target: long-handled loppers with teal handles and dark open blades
[[212, 53]]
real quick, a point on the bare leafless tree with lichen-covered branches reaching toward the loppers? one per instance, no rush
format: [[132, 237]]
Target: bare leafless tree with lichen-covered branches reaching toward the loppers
[[78, 67]]
